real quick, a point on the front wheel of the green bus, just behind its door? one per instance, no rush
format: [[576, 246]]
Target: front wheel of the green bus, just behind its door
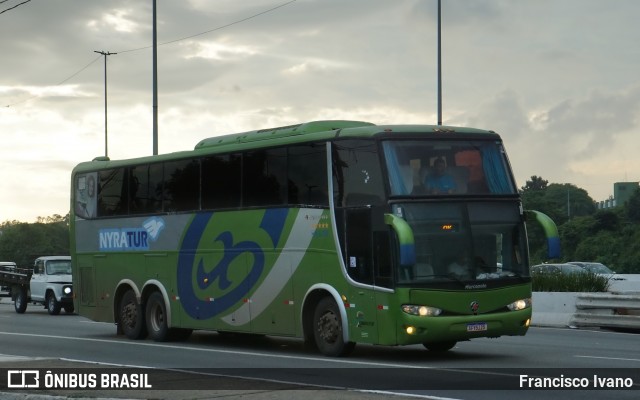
[[327, 329]]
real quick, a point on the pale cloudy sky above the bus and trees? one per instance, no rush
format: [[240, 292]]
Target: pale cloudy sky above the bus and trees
[[557, 79]]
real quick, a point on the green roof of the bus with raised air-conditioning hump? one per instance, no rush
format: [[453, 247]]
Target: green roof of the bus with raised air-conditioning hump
[[305, 132]]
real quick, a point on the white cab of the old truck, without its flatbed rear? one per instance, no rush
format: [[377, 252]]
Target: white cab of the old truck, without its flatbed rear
[[51, 284]]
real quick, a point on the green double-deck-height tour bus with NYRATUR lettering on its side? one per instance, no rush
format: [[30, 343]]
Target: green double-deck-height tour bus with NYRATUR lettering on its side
[[330, 231]]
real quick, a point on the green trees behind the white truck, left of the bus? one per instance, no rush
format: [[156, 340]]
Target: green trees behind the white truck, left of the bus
[[22, 242]]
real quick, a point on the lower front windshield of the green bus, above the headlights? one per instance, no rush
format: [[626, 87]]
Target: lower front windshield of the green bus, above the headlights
[[464, 242]]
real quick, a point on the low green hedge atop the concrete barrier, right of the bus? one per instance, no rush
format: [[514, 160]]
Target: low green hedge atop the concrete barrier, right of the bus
[[585, 282]]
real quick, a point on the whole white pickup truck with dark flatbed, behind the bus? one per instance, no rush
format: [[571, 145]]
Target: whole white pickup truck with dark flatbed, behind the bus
[[48, 283]]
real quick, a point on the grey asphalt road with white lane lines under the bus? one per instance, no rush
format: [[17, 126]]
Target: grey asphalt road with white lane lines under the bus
[[211, 365]]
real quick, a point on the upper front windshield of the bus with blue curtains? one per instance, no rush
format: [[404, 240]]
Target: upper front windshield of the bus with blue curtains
[[455, 167]]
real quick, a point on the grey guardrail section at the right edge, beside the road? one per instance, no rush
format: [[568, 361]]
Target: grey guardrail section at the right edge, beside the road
[[610, 310]]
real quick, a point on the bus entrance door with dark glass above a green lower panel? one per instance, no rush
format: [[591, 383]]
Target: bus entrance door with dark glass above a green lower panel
[[359, 261]]
